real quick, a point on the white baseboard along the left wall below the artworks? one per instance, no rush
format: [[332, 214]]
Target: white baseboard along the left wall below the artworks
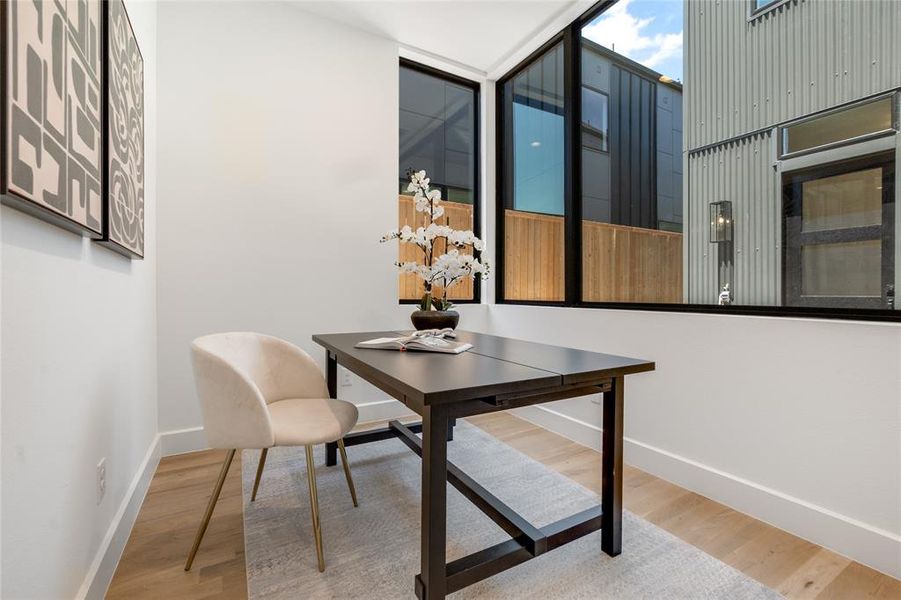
[[107, 558]]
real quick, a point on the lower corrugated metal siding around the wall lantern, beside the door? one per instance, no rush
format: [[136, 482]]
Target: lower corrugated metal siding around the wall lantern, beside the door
[[741, 172]]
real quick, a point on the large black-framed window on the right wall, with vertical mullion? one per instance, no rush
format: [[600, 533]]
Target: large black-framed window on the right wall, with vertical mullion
[[752, 186]]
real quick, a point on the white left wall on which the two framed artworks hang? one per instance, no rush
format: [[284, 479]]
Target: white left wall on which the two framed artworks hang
[[78, 384]]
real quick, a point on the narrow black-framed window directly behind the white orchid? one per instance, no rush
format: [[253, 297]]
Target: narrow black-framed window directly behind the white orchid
[[438, 124]]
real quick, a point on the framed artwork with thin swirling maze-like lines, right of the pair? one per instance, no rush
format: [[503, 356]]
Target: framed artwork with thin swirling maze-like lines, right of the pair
[[123, 177]]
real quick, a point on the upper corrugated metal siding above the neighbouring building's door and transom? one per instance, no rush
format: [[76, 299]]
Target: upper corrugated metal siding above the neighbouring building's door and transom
[[801, 57]]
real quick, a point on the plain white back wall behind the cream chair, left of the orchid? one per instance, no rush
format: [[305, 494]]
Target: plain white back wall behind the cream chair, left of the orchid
[[278, 165]]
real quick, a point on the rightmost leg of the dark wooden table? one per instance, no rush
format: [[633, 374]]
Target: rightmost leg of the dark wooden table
[[612, 471]]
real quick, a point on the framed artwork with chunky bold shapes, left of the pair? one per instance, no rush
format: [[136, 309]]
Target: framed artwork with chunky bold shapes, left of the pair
[[52, 160]]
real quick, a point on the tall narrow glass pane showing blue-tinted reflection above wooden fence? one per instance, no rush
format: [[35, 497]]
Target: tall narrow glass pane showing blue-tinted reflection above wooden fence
[[533, 167]]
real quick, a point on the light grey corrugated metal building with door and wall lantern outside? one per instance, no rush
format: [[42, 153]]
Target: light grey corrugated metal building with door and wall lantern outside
[[813, 201]]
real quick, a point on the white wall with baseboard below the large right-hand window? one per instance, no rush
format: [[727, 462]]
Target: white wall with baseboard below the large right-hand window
[[796, 422]]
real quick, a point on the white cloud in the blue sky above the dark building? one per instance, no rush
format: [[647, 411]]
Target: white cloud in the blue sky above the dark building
[[620, 30]]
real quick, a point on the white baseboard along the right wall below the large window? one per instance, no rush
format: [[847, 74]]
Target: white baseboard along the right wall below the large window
[[872, 546]]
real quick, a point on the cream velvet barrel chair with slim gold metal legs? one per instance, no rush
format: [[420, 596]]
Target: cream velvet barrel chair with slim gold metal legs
[[258, 391]]
